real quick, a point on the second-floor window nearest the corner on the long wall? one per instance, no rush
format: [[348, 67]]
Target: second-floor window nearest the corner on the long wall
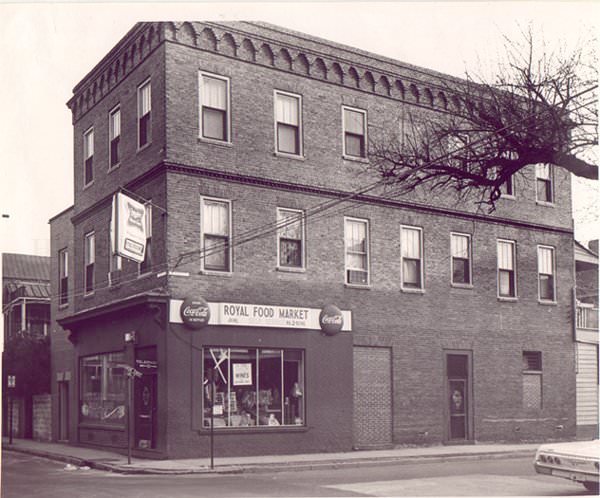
[[215, 226]]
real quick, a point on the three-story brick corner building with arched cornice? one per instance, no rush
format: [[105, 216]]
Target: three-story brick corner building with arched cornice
[[340, 316]]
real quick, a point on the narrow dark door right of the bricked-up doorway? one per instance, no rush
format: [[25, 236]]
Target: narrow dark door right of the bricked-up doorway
[[458, 396]]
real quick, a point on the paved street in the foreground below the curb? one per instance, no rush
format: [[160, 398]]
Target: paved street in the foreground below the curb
[[28, 476]]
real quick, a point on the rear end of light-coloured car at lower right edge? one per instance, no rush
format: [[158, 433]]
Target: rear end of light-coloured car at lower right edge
[[577, 461]]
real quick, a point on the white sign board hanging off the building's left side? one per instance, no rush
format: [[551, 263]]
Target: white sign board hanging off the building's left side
[[128, 228]]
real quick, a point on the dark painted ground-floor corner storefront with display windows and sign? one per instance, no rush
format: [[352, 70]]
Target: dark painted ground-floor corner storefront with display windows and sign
[[256, 378]]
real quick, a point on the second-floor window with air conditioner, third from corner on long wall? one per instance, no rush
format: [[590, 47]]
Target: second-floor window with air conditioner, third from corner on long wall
[[357, 251]]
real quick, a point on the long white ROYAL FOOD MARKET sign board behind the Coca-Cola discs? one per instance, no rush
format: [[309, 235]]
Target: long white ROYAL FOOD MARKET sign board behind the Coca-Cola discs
[[261, 315]]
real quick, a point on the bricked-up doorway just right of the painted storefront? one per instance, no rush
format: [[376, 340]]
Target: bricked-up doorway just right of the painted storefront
[[372, 397]]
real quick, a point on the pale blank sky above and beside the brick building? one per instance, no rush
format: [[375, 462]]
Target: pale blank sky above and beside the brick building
[[46, 49]]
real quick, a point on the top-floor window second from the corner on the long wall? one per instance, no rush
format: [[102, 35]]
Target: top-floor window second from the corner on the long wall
[[288, 123]]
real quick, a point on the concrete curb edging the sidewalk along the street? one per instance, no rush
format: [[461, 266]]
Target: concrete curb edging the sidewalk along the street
[[275, 467]]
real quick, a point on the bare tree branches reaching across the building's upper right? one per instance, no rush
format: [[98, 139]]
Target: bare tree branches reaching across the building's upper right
[[538, 110]]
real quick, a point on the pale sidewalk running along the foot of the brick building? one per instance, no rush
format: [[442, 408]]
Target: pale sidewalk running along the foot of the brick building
[[105, 460]]
